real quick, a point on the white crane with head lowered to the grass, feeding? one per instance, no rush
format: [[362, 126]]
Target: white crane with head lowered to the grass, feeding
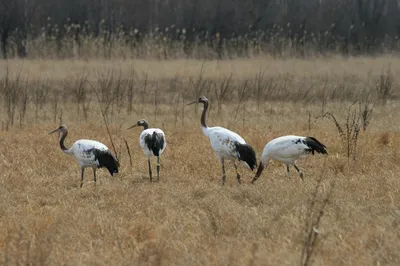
[[288, 149]]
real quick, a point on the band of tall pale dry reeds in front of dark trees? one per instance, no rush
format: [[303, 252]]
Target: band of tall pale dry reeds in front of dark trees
[[88, 41]]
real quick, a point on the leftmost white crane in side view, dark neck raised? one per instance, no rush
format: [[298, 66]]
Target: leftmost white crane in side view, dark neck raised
[[88, 153]]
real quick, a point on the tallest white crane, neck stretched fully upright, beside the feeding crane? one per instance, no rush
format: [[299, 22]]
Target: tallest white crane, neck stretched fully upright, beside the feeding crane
[[227, 144]]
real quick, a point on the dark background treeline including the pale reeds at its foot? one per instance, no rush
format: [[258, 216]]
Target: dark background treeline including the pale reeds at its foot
[[197, 28]]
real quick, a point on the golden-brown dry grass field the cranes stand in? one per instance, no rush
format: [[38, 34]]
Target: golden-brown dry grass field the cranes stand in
[[346, 212]]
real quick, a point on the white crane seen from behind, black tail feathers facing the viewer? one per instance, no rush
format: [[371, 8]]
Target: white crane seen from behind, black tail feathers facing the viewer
[[152, 141]]
